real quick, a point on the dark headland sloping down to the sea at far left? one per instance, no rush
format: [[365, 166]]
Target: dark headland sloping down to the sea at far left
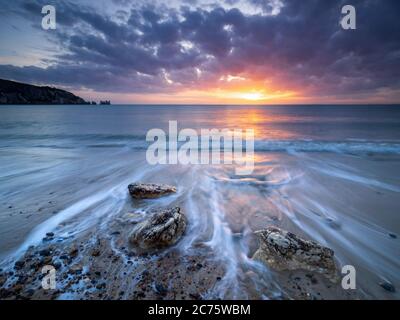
[[21, 93]]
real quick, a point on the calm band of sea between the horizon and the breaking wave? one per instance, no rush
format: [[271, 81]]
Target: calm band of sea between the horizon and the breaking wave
[[309, 127]]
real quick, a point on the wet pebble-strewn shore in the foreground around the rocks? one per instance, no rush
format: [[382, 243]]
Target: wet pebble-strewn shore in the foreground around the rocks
[[97, 265]]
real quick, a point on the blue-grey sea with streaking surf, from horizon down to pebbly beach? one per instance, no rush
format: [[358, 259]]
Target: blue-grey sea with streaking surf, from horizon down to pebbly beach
[[329, 173]]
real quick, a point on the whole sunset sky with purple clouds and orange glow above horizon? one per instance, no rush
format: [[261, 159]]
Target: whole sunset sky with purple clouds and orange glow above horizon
[[211, 51]]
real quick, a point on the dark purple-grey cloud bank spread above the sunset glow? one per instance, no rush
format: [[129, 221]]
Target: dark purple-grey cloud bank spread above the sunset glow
[[302, 46]]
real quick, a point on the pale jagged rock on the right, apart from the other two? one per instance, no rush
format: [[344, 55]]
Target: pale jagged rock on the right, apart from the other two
[[283, 250]]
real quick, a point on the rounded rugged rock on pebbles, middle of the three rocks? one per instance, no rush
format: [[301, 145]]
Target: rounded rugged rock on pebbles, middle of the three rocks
[[163, 228]]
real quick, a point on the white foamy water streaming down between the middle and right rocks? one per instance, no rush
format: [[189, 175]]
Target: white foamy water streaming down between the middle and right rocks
[[206, 206]]
